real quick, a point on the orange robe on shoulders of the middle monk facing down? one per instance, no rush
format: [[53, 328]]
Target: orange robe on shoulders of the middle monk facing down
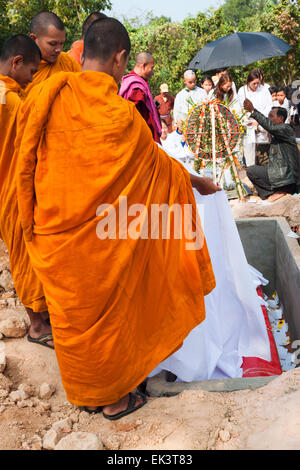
[[64, 63]]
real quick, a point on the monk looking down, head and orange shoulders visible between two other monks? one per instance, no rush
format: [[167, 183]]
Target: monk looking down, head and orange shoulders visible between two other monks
[[48, 31]]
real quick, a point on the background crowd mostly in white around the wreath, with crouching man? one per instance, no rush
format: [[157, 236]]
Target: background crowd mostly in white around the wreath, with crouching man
[[256, 149]]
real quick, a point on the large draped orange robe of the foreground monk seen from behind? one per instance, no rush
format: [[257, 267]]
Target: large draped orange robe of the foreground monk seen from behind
[[118, 307]]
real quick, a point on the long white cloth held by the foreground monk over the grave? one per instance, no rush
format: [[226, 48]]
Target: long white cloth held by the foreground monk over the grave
[[234, 326]]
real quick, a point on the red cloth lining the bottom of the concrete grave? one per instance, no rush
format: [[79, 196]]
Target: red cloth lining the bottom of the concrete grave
[[256, 367]]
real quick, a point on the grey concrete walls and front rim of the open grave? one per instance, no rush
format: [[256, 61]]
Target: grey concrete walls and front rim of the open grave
[[277, 256]]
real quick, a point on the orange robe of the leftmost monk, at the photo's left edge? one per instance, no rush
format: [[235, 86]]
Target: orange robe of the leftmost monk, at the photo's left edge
[[27, 285]]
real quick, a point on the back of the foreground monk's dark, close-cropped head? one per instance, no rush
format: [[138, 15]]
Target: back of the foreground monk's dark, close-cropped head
[[104, 38]]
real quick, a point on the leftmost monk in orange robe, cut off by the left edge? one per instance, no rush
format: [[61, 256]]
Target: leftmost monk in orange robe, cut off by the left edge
[[19, 60]]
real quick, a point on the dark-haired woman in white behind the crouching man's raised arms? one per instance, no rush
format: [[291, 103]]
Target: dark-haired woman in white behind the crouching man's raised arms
[[261, 98]]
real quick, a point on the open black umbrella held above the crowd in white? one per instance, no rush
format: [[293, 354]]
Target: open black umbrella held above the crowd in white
[[239, 49]]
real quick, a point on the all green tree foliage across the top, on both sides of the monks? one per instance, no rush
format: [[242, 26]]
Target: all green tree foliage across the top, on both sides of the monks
[[173, 45]]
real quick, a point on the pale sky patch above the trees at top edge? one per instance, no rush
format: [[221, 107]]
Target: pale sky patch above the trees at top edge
[[176, 9]]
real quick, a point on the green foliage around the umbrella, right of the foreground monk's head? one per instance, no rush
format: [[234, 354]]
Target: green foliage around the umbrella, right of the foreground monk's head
[[173, 45]]
